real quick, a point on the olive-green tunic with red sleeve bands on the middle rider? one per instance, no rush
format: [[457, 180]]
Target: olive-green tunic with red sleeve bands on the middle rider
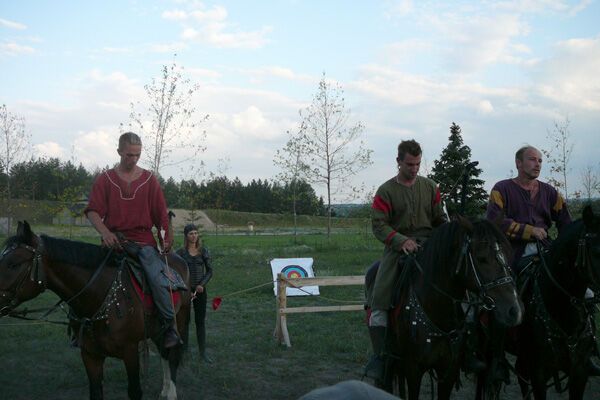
[[400, 211]]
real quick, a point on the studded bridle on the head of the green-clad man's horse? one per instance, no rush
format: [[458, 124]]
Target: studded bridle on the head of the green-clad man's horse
[[488, 302]]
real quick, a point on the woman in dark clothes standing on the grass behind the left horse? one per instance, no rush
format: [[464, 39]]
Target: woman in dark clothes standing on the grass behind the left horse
[[198, 260]]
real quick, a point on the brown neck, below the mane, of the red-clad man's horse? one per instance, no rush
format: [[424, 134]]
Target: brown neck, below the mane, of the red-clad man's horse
[[67, 280]]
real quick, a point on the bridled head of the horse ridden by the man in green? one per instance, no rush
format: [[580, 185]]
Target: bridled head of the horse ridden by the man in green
[[486, 252]]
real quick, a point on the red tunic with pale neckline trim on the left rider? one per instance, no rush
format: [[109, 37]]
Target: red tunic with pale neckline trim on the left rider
[[132, 209]]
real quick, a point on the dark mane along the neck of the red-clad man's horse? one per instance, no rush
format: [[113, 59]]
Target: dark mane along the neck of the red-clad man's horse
[[85, 255]]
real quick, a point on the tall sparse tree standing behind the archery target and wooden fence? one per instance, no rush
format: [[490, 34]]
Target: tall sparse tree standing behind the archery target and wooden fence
[[331, 155]]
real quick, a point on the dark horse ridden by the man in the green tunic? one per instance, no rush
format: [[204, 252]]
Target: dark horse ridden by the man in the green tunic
[[428, 329]]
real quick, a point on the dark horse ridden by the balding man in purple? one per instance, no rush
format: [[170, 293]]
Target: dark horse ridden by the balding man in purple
[[557, 330]]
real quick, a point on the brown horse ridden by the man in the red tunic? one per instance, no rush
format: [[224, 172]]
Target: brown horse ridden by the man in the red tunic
[[102, 296]]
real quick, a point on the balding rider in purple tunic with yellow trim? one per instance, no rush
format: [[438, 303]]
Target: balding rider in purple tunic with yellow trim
[[526, 209]]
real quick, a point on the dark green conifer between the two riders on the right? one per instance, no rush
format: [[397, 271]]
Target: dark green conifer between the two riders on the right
[[448, 171]]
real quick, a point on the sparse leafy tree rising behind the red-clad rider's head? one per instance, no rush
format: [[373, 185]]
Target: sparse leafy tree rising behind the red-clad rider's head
[[169, 120]]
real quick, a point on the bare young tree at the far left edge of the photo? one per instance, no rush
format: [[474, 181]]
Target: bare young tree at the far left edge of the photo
[[15, 147]]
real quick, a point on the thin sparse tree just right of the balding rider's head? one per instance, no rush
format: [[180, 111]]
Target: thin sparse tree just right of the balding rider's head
[[558, 155]]
